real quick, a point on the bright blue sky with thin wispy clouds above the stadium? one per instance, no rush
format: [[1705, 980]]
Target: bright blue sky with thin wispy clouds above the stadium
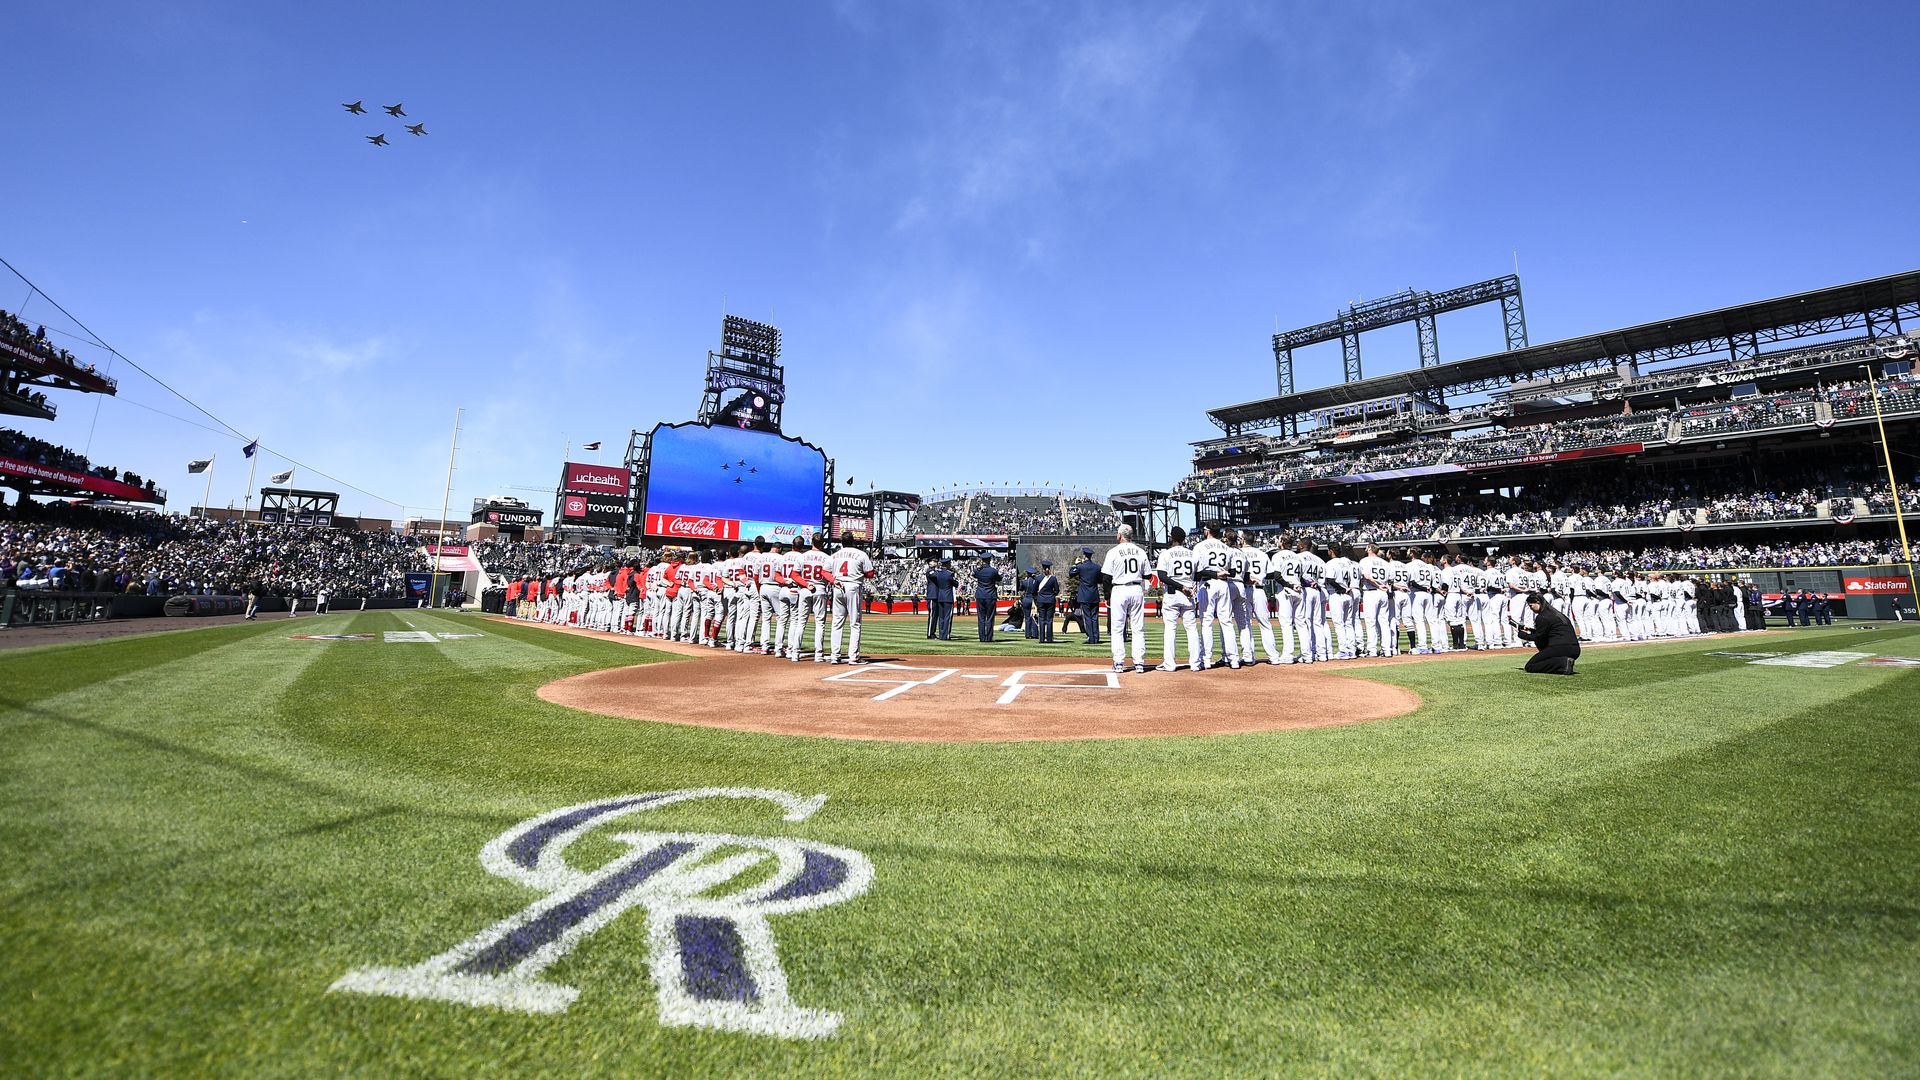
[[1003, 241]]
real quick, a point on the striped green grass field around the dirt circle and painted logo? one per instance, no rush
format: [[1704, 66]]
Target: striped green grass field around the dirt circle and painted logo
[[1671, 864]]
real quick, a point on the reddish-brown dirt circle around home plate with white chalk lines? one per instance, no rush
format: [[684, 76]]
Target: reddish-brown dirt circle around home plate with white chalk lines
[[976, 699]]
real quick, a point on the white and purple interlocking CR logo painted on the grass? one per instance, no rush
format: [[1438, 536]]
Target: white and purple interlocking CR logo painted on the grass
[[711, 952]]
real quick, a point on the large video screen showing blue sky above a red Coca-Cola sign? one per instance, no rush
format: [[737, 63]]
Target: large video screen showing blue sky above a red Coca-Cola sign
[[725, 483]]
